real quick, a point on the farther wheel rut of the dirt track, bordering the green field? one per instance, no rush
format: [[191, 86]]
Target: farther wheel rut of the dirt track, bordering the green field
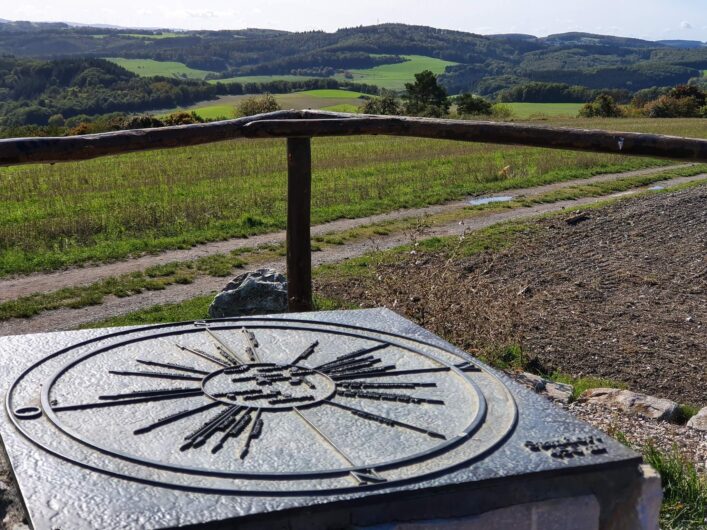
[[44, 282]]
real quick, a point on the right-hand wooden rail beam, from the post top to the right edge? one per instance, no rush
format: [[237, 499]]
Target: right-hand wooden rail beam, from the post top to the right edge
[[626, 143]]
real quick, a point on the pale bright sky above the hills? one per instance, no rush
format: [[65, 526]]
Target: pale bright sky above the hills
[[647, 19]]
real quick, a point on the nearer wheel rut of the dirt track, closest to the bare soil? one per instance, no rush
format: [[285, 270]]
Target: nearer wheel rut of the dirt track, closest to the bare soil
[[114, 306]]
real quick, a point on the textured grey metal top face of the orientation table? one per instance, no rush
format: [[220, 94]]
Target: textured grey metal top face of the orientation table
[[282, 412]]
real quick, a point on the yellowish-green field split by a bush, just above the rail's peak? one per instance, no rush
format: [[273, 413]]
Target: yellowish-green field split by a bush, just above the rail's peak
[[335, 100]]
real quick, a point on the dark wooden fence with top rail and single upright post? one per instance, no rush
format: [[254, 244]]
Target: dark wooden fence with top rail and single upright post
[[299, 126]]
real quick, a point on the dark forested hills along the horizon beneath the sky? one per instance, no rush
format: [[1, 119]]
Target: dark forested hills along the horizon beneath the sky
[[485, 64]]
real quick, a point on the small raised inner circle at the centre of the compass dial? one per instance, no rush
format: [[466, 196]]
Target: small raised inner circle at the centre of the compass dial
[[268, 386]]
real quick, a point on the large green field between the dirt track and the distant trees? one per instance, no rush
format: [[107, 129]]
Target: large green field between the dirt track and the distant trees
[[60, 215]]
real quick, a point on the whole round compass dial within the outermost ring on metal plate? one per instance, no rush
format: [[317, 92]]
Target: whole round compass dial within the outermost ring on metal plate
[[262, 405]]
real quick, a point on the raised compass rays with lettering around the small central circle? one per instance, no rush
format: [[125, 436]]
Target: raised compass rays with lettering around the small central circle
[[244, 388]]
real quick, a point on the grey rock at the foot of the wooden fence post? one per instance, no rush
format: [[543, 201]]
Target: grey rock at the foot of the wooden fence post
[[253, 293]]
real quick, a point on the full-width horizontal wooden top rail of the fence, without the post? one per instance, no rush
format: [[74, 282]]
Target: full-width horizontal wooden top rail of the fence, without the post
[[292, 124]]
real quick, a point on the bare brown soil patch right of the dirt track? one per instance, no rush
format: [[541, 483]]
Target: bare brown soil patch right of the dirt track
[[620, 295]]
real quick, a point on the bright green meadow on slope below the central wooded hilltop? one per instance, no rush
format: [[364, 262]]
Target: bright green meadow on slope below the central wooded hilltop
[[394, 76]]
